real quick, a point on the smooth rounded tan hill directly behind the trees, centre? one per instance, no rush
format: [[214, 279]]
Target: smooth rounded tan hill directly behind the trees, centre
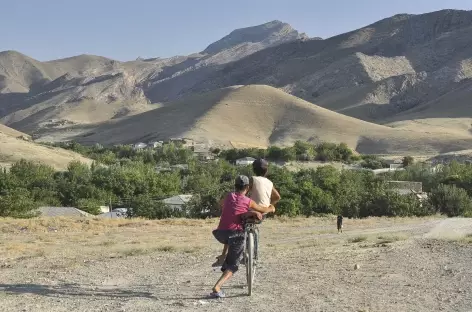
[[263, 115]]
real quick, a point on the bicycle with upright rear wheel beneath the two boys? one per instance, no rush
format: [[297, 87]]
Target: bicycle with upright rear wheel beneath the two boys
[[250, 254]]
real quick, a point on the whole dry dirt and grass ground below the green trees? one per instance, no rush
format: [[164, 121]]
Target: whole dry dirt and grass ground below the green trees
[[418, 264]]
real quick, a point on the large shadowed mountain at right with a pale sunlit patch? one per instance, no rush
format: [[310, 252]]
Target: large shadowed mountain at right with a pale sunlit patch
[[371, 73]]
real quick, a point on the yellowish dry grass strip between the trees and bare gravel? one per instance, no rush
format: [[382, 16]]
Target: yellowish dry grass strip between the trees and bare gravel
[[111, 238]]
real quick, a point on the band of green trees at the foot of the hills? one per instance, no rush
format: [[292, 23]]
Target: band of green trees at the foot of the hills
[[128, 178]]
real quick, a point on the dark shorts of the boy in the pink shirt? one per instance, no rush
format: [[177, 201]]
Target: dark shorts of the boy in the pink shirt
[[235, 242]]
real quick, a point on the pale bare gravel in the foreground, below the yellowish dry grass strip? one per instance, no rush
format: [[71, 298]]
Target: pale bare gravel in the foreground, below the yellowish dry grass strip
[[299, 273]]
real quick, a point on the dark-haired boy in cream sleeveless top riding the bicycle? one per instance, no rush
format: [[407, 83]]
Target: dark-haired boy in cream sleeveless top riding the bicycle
[[262, 192]]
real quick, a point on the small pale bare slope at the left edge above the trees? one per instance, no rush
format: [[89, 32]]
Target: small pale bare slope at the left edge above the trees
[[15, 146]]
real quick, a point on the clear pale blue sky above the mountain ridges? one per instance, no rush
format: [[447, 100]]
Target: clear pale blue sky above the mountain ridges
[[127, 29]]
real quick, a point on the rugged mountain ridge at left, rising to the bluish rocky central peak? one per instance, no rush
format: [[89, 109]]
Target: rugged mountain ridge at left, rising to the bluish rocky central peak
[[37, 96]]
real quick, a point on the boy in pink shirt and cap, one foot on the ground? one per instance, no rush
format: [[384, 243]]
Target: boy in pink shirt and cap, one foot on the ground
[[236, 208]]
